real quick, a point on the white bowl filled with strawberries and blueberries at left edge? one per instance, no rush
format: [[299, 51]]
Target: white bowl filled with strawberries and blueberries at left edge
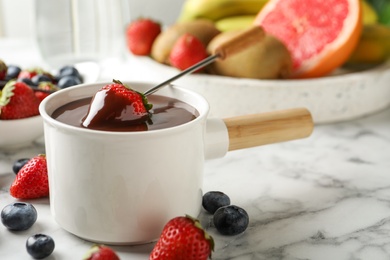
[[21, 91]]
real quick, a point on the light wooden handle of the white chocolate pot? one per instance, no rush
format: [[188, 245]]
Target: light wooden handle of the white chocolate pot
[[267, 128]]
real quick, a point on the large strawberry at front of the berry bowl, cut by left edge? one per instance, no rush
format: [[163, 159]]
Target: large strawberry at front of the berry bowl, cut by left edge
[[17, 101]]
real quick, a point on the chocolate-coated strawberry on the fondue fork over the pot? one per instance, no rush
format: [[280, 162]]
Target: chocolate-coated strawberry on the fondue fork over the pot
[[117, 105]]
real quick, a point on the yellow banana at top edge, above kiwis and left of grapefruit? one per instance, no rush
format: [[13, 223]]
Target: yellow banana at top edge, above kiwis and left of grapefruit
[[217, 9]]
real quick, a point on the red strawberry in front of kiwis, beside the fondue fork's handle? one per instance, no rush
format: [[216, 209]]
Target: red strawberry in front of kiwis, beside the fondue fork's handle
[[187, 51]]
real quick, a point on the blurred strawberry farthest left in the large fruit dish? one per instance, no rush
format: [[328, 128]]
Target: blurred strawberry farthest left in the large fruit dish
[[140, 35]]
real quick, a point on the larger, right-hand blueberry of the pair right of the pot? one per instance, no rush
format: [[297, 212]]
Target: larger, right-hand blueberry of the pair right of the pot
[[231, 220]]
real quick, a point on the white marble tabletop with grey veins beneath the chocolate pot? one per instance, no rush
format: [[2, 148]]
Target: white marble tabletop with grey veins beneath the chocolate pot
[[324, 197]]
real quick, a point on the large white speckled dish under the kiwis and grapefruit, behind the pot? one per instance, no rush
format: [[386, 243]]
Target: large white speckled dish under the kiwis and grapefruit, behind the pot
[[338, 97]]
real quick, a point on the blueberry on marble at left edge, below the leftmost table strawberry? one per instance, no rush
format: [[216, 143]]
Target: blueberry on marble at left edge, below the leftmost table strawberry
[[18, 216]]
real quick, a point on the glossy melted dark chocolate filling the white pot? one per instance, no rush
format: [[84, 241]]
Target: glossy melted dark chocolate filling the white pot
[[166, 112]]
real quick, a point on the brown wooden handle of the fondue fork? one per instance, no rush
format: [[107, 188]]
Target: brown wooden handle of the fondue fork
[[240, 42]]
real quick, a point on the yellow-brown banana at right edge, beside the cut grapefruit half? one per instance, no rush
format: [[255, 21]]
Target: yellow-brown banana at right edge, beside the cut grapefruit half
[[373, 47]]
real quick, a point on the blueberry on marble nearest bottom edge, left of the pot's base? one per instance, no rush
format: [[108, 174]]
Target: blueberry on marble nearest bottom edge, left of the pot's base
[[40, 246]]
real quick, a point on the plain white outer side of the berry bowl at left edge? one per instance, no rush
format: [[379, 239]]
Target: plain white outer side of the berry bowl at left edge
[[18, 133]]
